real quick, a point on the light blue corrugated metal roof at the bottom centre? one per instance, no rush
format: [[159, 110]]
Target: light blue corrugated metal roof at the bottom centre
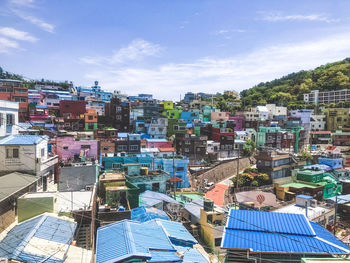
[[152, 241]]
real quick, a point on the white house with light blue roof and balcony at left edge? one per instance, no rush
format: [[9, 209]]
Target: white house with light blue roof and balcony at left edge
[[29, 154]]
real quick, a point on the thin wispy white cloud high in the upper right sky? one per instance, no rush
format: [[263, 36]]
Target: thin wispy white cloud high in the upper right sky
[[276, 17]]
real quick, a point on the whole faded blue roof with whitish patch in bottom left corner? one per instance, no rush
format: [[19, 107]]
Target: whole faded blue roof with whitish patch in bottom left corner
[[39, 239]]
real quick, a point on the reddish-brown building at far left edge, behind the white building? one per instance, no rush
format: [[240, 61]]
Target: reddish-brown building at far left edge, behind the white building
[[13, 90]]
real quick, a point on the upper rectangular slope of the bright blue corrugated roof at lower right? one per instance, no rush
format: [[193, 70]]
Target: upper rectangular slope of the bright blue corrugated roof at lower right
[[262, 221]]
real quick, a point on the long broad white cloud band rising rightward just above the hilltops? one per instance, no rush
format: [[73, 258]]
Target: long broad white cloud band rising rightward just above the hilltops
[[169, 80]]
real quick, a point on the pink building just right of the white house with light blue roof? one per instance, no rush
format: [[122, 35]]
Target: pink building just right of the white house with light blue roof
[[69, 149]]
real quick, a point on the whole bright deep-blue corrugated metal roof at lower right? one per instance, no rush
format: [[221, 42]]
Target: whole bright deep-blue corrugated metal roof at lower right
[[287, 233]]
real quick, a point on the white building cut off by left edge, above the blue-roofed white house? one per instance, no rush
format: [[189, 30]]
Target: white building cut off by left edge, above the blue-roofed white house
[[8, 118]]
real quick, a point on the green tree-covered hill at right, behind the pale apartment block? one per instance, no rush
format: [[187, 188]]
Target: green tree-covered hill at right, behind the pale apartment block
[[289, 90]]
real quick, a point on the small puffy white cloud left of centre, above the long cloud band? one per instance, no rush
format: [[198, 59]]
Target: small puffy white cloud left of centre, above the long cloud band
[[135, 51]]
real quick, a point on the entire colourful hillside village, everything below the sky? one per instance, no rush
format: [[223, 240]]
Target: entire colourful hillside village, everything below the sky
[[93, 175]]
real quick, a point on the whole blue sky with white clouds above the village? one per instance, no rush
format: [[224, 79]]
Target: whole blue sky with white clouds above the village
[[170, 47]]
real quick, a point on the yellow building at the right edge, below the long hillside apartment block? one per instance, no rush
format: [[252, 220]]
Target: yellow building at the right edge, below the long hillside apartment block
[[338, 119]]
